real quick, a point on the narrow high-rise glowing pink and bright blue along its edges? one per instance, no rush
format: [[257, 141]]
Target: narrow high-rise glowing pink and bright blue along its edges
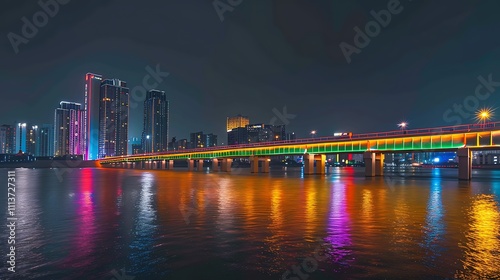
[[91, 116]]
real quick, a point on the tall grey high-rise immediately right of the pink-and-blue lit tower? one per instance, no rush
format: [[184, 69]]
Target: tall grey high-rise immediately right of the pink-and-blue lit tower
[[113, 118]]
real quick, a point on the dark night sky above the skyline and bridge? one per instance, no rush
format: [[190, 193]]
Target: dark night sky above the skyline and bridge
[[265, 54]]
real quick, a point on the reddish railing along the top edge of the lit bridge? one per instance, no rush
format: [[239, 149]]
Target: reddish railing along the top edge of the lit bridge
[[362, 136]]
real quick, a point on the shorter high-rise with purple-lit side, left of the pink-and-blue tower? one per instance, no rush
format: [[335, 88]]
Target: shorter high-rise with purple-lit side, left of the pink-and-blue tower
[[68, 129]]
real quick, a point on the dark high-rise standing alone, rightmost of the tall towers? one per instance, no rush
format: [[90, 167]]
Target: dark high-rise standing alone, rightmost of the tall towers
[[155, 130]]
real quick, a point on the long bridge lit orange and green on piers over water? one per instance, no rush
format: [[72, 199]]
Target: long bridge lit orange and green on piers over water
[[462, 139]]
